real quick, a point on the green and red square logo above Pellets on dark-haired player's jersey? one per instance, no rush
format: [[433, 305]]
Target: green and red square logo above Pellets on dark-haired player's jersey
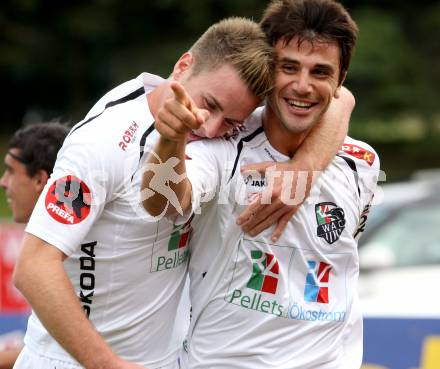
[[265, 271]]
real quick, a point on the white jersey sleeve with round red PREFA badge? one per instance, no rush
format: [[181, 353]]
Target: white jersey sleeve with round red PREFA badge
[[81, 184]]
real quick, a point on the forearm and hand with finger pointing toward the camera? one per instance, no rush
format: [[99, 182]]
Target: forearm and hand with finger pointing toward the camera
[[165, 189]]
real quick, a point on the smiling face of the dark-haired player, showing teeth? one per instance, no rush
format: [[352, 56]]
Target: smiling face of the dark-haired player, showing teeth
[[306, 80]]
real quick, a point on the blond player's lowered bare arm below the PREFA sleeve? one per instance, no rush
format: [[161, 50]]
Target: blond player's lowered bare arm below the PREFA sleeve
[[39, 274]]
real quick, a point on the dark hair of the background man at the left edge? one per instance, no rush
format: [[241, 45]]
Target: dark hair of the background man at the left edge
[[39, 144]]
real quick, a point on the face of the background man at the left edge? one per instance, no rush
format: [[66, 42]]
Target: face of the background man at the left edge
[[21, 190]]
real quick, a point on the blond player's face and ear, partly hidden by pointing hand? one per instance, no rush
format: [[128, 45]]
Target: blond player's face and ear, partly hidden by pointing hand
[[221, 91]]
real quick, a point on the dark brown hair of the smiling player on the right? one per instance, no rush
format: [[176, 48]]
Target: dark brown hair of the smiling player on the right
[[312, 21]]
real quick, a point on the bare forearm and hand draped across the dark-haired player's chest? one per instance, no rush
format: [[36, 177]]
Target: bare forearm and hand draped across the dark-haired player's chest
[[291, 181]]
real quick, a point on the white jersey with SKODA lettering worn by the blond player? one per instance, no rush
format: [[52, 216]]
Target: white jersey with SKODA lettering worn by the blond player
[[127, 269]]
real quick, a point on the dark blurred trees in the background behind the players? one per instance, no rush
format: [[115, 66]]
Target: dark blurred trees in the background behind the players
[[58, 57]]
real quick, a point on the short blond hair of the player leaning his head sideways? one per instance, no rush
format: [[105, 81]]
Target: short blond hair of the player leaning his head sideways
[[241, 43]]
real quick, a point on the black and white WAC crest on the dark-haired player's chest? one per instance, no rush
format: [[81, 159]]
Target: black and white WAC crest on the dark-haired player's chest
[[331, 221]]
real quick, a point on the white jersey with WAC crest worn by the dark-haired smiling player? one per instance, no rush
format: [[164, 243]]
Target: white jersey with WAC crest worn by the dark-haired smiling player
[[285, 304]]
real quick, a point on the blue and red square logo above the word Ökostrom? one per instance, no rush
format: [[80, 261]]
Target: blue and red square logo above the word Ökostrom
[[317, 279]]
